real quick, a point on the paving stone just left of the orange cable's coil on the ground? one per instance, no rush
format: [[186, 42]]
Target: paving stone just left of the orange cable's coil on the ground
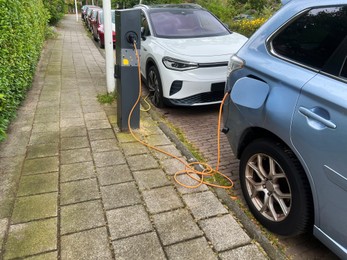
[[149, 179]]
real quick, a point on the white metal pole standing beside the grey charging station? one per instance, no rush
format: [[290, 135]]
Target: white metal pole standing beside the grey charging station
[[110, 82]]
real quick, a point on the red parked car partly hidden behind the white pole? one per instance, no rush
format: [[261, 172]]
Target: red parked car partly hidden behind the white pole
[[97, 25]]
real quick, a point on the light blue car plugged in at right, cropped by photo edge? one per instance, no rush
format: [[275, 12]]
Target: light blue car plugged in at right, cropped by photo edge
[[286, 121]]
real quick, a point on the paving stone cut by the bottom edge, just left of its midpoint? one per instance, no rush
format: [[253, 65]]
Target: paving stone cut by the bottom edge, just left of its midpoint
[[145, 246]]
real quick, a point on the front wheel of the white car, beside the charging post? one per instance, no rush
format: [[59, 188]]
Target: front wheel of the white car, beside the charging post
[[155, 87]]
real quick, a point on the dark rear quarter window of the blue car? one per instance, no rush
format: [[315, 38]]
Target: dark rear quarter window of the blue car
[[313, 37]]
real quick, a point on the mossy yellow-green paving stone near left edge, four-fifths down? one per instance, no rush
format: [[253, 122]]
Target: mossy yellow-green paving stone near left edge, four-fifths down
[[35, 207]]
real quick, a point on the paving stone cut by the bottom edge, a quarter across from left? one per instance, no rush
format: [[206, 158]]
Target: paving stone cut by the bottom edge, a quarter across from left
[[91, 244]]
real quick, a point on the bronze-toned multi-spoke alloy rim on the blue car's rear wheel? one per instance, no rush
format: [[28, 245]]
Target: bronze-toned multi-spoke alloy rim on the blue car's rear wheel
[[268, 187]]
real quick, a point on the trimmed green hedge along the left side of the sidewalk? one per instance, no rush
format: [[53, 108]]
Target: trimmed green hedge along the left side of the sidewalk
[[22, 33]]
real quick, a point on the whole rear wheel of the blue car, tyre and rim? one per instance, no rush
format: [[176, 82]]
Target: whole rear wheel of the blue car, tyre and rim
[[278, 196]]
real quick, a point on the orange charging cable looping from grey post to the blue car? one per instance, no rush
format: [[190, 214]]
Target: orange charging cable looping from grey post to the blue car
[[189, 167]]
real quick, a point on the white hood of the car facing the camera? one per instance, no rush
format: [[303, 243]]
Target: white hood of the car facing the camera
[[204, 46]]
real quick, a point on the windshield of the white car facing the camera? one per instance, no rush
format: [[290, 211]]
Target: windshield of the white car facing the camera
[[183, 23]]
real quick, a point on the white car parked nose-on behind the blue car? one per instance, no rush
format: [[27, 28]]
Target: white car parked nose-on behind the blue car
[[184, 54]]
